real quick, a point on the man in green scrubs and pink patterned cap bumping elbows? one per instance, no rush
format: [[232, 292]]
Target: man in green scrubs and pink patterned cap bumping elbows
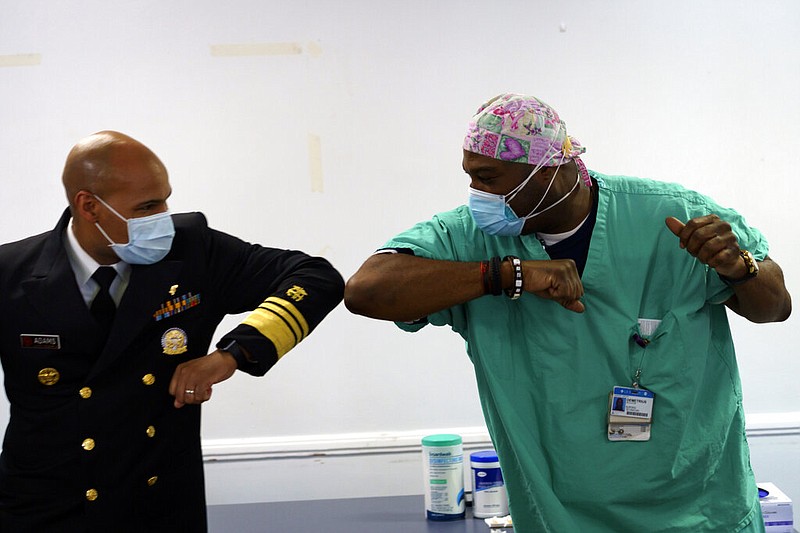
[[573, 289]]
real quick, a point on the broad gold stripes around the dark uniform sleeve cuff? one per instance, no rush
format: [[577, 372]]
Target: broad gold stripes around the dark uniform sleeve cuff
[[279, 321]]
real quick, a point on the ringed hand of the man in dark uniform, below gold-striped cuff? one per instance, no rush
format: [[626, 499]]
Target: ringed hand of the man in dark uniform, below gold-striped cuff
[[199, 375]]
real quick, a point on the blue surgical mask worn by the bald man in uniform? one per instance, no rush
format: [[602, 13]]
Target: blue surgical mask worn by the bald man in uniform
[[149, 238]]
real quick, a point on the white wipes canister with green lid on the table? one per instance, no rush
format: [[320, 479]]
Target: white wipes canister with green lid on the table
[[443, 467]]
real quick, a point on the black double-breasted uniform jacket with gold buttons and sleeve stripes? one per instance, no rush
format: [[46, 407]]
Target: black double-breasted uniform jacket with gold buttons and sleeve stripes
[[94, 442]]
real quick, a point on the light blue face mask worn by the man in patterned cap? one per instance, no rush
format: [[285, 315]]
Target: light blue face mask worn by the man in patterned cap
[[494, 216]]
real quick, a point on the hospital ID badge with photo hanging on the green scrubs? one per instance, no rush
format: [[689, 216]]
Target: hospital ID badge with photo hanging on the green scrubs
[[630, 414]]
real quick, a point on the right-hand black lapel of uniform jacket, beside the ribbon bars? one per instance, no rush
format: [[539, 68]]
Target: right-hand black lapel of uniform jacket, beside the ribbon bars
[[148, 288]]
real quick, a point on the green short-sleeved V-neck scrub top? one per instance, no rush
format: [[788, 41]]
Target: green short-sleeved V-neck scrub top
[[544, 373]]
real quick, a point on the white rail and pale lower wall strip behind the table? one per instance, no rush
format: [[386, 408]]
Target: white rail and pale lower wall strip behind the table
[[358, 465]]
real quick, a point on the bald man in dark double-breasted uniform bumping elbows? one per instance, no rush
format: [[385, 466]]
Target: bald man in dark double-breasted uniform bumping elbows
[[105, 326]]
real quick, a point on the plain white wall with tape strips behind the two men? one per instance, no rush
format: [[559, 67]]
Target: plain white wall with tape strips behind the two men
[[341, 123]]
